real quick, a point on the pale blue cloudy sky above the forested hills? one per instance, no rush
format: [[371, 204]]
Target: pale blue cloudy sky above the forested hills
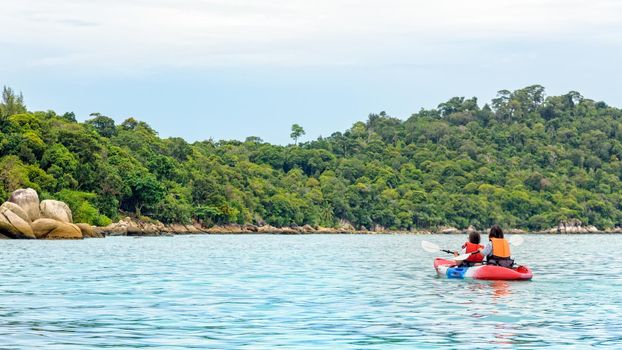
[[228, 69]]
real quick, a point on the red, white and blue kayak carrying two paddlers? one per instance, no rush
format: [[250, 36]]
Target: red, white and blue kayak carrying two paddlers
[[448, 269]]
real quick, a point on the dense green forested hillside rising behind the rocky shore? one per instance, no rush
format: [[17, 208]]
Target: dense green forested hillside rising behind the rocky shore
[[524, 160]]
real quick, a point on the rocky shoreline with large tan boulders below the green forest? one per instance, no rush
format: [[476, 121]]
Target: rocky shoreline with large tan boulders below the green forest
[[24, 216]]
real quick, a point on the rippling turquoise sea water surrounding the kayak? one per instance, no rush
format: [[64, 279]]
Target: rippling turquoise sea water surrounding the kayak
[[302, 292]]
